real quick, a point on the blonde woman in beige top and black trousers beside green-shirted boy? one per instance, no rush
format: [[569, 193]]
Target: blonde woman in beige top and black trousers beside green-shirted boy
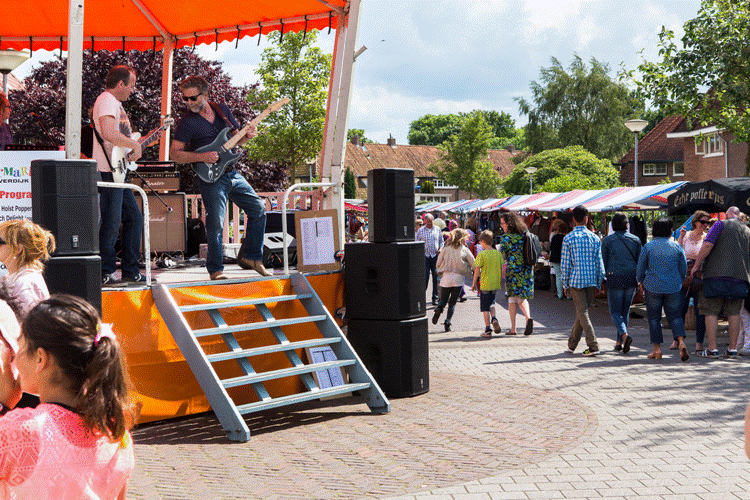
[[455, 262]]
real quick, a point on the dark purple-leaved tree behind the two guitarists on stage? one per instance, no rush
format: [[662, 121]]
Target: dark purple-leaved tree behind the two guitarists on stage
[[45, 97]]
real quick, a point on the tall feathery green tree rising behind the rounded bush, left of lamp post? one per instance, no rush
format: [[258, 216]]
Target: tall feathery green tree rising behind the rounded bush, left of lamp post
[[581, 106]]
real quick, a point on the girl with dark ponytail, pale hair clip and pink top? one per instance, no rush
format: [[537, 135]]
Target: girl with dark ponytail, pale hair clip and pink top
[[75, 444]]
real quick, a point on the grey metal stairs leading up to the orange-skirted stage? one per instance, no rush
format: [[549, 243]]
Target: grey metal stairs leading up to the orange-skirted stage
[[215, 389]]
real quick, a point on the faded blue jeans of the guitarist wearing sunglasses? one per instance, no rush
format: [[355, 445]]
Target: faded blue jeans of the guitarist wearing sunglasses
[[233, 186]]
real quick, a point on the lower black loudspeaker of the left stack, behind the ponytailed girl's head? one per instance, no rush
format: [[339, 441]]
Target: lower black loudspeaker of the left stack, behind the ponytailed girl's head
[[76, 275]]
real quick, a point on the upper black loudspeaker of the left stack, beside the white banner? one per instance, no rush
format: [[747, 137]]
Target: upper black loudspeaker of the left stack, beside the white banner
[[64, 201]]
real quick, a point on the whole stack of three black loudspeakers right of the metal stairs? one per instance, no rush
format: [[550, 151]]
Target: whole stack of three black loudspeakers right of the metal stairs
[[384, 288]]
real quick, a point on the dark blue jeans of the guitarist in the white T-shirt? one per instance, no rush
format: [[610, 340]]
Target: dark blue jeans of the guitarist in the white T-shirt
[[118, 206]]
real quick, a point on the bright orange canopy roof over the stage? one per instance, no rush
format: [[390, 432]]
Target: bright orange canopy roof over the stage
[[144, 24]]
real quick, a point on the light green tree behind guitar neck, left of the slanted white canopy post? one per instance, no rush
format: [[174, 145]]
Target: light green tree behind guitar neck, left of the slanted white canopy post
[[296, 69]]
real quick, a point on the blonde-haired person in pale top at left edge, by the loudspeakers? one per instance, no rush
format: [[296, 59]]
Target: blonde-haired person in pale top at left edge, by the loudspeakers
[[23, 248]]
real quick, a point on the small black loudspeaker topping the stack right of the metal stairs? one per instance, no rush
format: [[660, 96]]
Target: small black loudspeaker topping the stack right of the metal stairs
[[390, 204]]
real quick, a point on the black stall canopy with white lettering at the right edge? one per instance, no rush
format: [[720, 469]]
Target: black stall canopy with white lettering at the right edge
[[712, 196]]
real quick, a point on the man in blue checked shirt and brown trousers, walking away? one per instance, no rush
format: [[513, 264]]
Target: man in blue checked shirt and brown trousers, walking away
[[582, 275]]
